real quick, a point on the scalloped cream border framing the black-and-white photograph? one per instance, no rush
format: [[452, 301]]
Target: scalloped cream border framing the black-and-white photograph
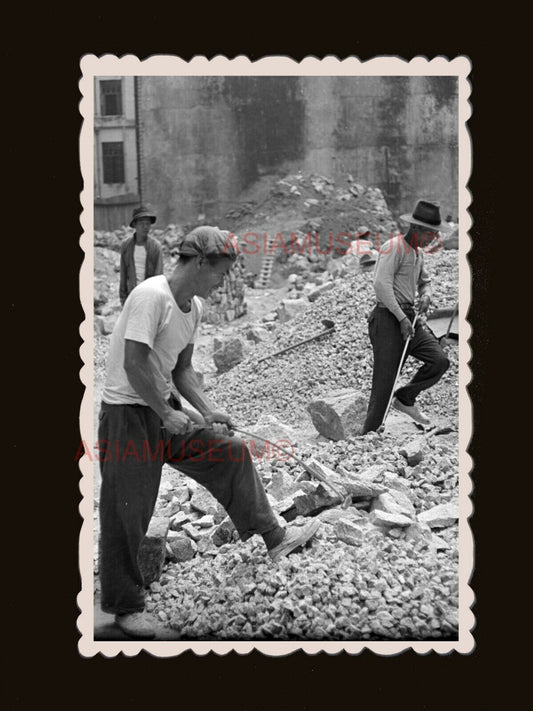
[[167, 65]]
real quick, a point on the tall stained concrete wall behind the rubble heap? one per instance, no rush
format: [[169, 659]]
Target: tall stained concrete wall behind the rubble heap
[[206, 139]]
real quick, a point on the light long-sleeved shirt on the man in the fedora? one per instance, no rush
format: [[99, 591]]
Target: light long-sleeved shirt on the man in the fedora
[[399, 273]]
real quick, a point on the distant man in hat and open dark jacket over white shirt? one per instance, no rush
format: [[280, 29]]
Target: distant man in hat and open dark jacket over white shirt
[[141, 256]]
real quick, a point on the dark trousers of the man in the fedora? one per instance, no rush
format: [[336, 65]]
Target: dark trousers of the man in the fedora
[[388, 345]]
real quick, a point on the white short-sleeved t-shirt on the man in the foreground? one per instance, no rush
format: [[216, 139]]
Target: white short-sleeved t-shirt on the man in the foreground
[[152, 316]]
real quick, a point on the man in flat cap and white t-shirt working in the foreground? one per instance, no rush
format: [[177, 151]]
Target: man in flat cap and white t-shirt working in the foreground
[[142, 426]]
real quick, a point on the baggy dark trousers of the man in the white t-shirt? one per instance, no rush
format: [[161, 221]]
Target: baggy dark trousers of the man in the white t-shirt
[[132, 451]]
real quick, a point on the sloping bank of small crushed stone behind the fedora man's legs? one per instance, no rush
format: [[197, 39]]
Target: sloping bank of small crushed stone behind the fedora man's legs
[[284, 384]]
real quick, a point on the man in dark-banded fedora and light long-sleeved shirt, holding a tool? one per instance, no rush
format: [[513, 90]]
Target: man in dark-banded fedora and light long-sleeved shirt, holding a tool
[[399, 274]]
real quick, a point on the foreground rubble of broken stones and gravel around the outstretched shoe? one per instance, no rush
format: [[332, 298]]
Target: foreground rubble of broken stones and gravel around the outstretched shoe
[[383, 565]]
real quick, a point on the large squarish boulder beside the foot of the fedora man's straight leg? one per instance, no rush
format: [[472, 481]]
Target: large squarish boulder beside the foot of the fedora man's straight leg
[[339, 414]]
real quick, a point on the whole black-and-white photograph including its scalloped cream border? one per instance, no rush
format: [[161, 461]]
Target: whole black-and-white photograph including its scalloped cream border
[[275, 346]]
